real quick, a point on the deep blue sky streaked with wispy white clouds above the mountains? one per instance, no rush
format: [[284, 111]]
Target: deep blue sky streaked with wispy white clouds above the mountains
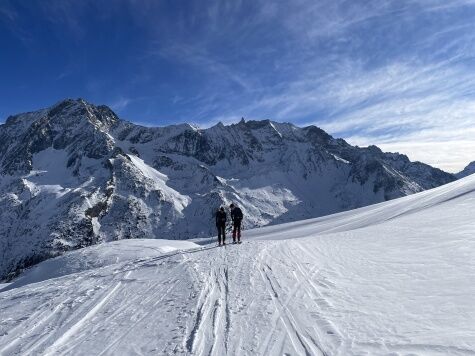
[[399, 74]]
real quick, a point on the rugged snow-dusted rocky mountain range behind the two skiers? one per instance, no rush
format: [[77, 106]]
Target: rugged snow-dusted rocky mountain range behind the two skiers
[[75, 174]]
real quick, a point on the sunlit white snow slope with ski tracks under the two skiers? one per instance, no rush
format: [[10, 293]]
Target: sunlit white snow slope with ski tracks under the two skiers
[[397, 278]]
